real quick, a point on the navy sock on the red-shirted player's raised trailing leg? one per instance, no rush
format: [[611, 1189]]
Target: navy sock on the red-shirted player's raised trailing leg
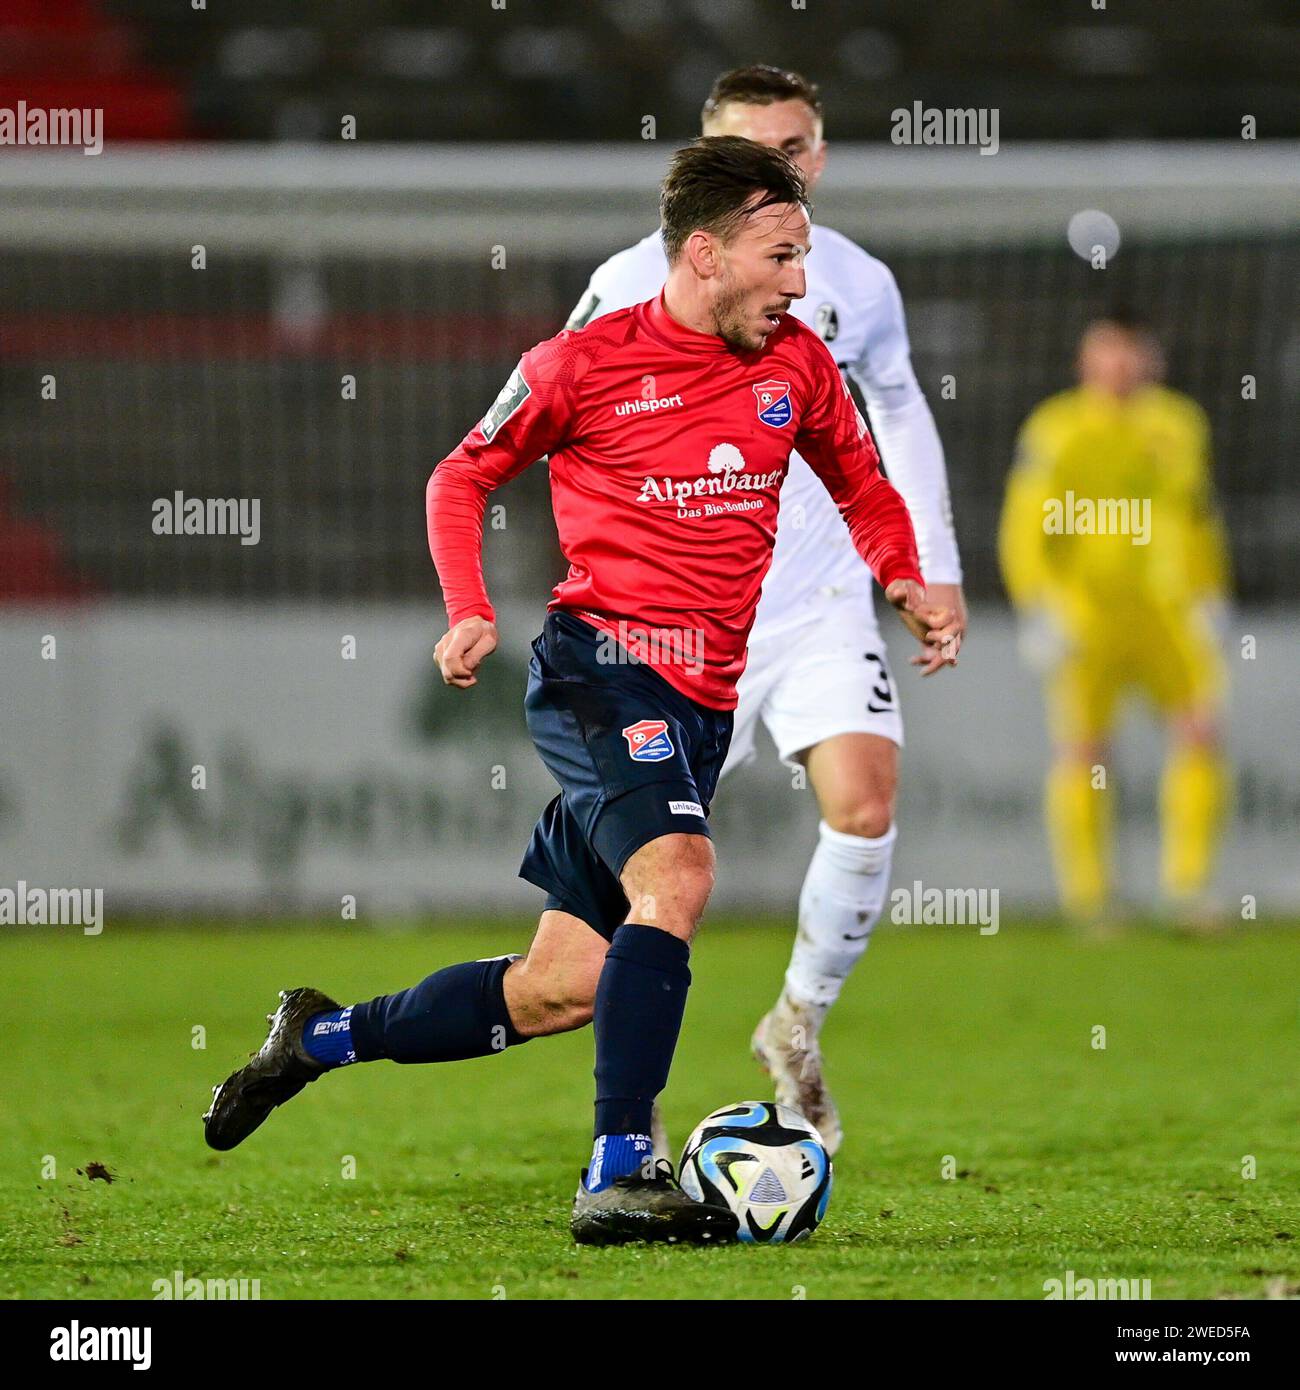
[[455, 1014]]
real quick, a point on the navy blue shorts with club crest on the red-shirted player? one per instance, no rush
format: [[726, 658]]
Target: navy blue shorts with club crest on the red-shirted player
[[635, 758]]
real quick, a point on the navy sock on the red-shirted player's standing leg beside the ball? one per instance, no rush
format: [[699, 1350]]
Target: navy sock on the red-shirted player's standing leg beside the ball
[[639, 1007]]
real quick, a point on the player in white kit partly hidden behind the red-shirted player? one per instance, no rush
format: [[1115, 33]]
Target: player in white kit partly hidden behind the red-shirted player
[[818, 675]]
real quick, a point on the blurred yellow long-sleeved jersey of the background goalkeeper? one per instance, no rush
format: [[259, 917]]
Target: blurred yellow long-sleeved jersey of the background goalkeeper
[[1110, 507]]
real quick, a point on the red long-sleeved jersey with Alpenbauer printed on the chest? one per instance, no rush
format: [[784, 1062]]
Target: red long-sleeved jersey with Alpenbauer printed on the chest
[[668, 450]]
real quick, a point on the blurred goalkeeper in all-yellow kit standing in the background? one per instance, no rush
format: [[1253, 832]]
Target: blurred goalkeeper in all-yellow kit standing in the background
[[1114, 555]]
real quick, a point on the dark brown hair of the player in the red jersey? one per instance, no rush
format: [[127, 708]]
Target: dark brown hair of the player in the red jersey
[[713, 183]]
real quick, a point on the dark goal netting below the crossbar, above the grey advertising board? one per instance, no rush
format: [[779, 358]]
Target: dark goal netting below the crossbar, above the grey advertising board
[[231, 383]]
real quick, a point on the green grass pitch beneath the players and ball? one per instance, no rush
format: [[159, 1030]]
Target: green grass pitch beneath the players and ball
[[1124, 1163]]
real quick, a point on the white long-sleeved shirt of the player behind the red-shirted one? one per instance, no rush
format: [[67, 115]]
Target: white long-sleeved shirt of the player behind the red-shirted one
[[854, 305]]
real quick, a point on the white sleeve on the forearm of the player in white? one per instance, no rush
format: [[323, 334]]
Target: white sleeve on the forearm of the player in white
[[914, 459]]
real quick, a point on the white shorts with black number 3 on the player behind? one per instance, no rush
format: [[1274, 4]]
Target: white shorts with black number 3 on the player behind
[[825, 678]]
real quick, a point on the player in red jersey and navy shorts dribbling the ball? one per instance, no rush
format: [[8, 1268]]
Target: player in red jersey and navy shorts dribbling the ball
[[668, 427]]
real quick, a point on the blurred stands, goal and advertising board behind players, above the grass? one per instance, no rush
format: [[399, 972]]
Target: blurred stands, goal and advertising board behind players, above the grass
[[359, 305]]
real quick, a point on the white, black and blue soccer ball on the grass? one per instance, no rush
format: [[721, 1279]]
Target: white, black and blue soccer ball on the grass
[[767, 1164]]
